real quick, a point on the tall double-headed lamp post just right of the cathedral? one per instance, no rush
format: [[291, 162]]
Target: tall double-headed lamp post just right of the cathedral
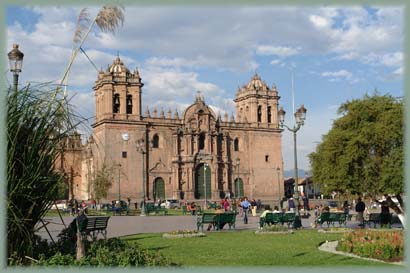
[[300, 117]]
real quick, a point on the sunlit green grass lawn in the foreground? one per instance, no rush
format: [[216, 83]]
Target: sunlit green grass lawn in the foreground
[[244, 248]]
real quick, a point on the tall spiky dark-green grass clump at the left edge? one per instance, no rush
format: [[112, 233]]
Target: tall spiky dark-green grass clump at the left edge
[[35, 121]]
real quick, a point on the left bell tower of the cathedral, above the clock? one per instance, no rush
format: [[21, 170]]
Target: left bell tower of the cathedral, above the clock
[[118, 93]]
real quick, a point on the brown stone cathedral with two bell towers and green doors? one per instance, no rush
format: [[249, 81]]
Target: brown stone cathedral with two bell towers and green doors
[[194, 155]]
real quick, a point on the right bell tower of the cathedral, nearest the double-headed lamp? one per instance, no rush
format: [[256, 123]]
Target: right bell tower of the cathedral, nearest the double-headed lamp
[[257, 104]]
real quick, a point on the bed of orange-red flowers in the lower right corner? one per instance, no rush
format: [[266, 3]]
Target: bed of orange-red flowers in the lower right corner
[[383, 245]]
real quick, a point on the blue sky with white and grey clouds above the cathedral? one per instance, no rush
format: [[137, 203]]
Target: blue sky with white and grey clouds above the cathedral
[[336, 54]]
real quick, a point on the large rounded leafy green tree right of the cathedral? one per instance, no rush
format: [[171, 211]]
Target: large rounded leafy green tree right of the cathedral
[[363, 152]]
